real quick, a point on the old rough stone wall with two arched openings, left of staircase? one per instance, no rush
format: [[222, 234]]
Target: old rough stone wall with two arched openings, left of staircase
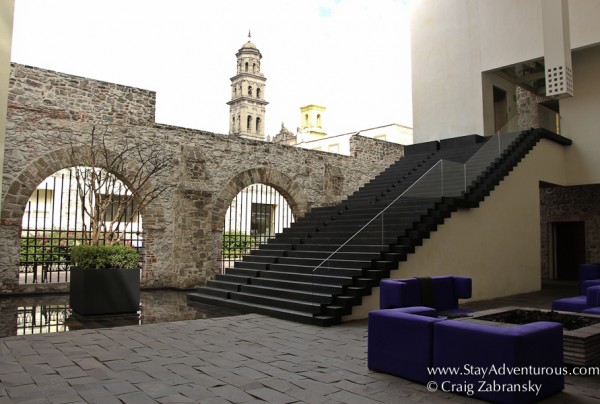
[[182, 228]]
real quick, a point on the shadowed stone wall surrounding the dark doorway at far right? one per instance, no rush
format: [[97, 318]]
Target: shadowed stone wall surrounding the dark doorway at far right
[[569, 204]]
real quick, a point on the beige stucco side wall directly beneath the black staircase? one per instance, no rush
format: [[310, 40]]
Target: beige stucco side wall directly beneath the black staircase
[[482, 244]]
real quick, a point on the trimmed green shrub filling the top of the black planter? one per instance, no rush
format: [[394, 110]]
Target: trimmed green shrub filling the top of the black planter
[[103, 257]]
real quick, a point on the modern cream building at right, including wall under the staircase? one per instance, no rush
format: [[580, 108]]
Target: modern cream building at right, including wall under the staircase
[[489, 67]]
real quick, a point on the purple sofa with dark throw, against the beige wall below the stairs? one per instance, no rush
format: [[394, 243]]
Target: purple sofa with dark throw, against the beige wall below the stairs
[[438, 292]]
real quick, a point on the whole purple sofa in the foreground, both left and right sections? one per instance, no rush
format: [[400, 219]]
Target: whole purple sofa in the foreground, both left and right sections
[[409, 342]]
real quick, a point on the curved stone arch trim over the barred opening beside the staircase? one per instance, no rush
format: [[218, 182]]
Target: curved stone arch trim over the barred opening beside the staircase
[[285, 185]]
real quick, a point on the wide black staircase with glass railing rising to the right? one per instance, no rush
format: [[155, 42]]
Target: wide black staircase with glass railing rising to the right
[[319, 268]]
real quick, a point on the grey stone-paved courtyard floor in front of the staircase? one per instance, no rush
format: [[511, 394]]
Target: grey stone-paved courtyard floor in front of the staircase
[[223, 358]]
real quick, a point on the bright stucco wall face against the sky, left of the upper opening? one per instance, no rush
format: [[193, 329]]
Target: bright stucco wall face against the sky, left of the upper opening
[[446, 79]]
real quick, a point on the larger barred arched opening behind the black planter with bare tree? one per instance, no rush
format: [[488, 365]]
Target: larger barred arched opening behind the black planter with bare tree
[[58, 215]]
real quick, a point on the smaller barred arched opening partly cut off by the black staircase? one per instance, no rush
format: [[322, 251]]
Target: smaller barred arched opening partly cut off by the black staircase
[[255, 215]]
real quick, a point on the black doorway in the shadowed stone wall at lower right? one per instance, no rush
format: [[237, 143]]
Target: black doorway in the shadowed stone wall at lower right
[[570, 249]]
